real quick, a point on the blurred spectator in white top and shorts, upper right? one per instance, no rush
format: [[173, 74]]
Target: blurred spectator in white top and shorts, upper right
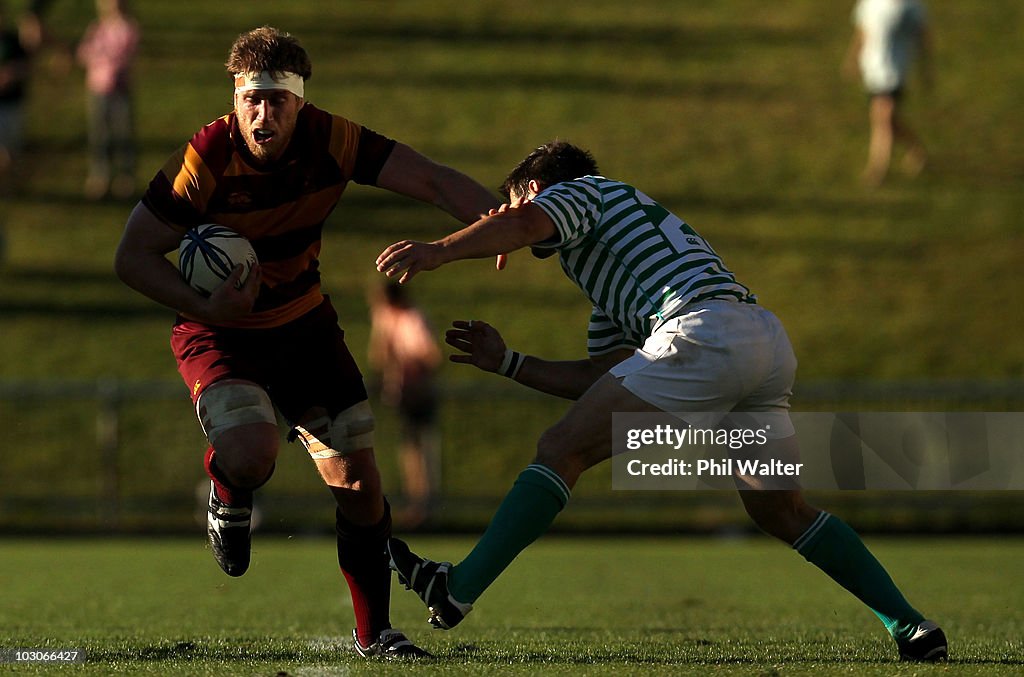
[[887, 36]]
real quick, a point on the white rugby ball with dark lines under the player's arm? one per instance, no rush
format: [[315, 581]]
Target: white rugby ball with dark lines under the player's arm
[[209, 253]]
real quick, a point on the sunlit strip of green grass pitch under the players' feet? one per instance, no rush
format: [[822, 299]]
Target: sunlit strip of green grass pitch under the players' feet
[[577, 607]]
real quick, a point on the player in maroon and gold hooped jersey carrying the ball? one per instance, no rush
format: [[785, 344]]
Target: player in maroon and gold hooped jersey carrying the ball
[[274, 170]]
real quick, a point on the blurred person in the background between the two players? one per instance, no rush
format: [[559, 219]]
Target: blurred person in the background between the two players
[[405, 355]]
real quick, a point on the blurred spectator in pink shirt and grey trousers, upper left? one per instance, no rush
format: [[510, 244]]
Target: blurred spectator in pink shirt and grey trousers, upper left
[[108, 52]]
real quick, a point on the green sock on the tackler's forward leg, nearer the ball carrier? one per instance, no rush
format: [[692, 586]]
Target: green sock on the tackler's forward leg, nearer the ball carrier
[[530, 507]]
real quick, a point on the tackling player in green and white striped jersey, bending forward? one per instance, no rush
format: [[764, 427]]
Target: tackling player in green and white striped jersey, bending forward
[[672, 330]]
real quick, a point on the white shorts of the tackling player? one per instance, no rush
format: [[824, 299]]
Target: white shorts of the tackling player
[[718, 357]]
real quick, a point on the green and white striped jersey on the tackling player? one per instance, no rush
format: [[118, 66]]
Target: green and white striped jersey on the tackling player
[[637, 263]]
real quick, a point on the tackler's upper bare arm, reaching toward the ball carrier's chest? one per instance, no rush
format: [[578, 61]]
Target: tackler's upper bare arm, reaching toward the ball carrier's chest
[[502, 232]]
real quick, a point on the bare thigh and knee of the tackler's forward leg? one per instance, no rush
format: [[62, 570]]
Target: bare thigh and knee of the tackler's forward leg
[[583, 438]]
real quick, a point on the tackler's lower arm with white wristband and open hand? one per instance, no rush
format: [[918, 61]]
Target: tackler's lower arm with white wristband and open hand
[[485, 349]]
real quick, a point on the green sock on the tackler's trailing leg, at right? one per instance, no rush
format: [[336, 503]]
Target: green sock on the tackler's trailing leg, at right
[[835, 548]]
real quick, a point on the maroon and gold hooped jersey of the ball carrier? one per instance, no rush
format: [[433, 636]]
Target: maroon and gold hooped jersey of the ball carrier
[[281, 208]]
